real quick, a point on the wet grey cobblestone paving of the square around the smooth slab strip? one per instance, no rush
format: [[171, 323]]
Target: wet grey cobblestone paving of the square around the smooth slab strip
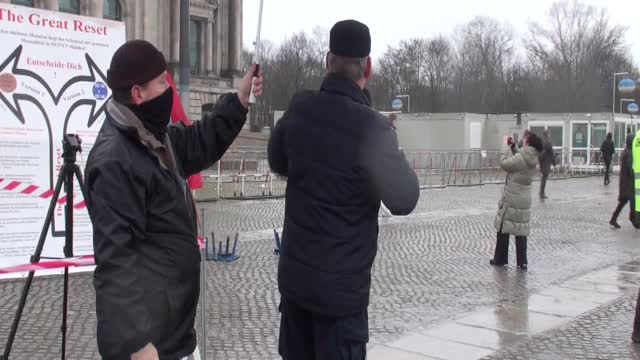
[[432, 266]]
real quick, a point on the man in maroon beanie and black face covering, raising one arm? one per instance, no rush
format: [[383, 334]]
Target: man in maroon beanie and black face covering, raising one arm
[[143, 214]]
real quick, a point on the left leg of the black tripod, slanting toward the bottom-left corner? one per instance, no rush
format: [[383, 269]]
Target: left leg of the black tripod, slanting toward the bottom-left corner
[[35, 258]]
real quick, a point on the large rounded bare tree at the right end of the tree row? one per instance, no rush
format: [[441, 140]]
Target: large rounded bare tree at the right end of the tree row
[[576, 51]]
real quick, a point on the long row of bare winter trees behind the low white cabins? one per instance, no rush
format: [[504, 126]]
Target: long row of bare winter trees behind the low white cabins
[[567, 66]]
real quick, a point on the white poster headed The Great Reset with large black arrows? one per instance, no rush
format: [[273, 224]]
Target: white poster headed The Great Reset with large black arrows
[[52, 81]]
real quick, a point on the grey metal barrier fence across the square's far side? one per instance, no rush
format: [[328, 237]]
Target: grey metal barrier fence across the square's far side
[[245, 174]]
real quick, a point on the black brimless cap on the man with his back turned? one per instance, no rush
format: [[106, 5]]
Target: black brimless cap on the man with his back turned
[[350, 38]]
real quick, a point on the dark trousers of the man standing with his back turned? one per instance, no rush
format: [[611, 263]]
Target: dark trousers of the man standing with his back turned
[[305, 335]]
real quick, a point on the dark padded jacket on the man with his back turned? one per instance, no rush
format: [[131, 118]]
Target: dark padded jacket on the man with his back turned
[[341, 158]]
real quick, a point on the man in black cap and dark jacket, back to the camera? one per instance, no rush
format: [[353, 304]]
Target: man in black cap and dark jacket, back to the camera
[[341, 159]]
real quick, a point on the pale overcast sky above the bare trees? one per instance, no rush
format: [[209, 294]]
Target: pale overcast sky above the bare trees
[[393, 20]]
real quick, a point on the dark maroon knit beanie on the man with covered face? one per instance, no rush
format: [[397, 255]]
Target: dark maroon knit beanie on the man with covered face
[[135, 63]]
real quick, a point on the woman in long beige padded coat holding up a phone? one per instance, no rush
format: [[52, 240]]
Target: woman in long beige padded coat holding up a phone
[[514, 208]]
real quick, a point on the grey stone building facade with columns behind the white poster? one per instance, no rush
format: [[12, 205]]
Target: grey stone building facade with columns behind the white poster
[[215, 37]]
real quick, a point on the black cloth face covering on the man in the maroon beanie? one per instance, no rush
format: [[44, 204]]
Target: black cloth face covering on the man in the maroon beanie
[[155, 114]]
